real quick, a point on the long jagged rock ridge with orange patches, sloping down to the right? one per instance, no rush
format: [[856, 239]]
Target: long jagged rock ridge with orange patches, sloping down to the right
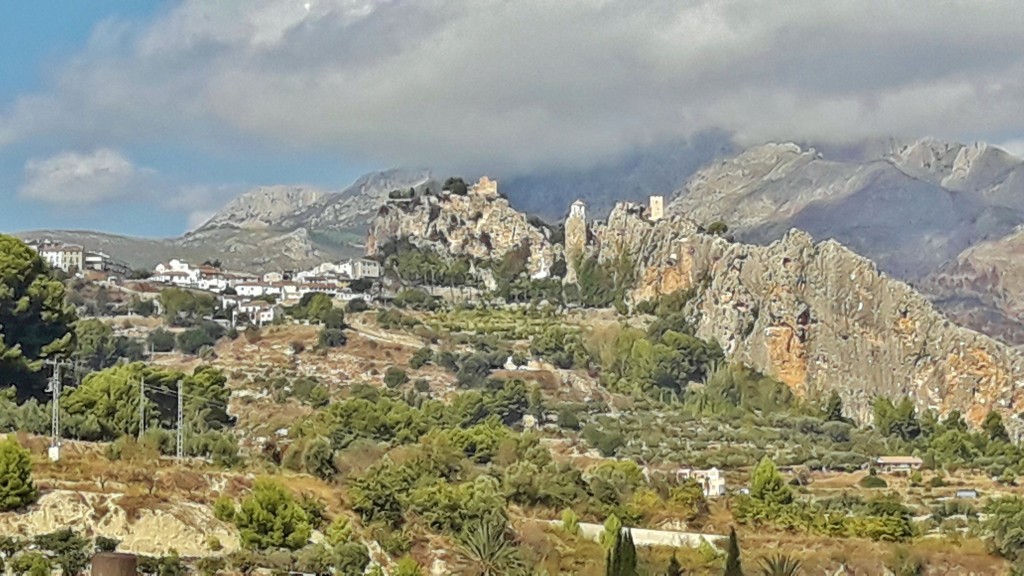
[[819, 317]]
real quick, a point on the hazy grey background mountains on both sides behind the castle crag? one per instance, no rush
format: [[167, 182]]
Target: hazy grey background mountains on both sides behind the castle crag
[[946, 218]]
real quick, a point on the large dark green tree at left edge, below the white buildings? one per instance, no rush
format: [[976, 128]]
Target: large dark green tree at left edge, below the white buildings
[[35, 320]]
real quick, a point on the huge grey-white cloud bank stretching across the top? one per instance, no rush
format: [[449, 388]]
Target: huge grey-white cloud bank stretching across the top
[[534, 84]]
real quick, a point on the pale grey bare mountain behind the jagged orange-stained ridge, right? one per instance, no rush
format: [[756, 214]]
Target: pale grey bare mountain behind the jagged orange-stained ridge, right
[[921, 213]]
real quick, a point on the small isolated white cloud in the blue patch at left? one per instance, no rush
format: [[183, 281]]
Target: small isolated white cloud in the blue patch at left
[[83, 180]]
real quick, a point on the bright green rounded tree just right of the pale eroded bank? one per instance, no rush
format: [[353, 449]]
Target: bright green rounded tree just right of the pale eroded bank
[[271, 518]]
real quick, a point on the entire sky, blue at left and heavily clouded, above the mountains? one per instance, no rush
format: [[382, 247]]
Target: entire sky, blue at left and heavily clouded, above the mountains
[[145, 117]]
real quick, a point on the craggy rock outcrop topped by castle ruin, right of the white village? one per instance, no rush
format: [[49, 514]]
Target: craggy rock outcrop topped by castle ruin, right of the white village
[[480, 224]]
